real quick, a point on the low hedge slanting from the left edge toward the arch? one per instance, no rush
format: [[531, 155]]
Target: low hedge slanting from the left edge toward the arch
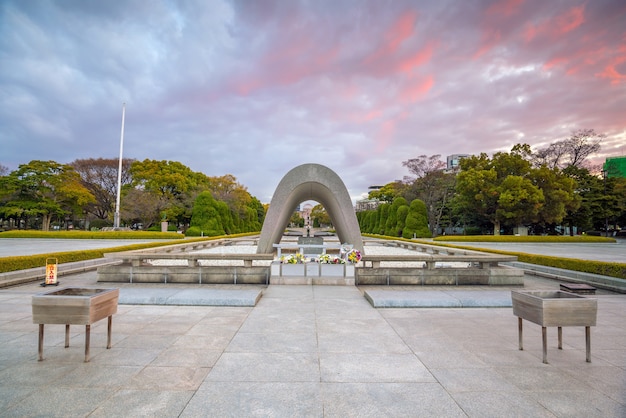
[[23, 262]]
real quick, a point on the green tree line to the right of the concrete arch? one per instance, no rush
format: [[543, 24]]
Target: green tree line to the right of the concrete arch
[[552, 190]]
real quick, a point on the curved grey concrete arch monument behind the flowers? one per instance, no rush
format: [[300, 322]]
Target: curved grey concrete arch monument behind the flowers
[[310, 182]]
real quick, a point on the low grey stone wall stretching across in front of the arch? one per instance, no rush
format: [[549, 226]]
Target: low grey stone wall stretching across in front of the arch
[[436, 266]]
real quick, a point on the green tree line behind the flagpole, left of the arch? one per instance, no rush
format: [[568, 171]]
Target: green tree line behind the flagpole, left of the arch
[[82, 194]]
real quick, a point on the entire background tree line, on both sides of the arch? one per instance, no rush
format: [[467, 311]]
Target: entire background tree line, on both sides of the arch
[[544, 190]]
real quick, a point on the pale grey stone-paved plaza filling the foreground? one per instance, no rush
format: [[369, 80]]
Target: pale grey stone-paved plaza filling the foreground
[[310, 351]]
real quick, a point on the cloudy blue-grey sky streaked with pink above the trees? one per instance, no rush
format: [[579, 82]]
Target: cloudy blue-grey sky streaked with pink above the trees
[[254, 88]]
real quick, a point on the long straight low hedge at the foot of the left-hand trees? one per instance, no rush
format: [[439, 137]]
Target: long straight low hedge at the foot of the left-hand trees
[[90, 234]]
